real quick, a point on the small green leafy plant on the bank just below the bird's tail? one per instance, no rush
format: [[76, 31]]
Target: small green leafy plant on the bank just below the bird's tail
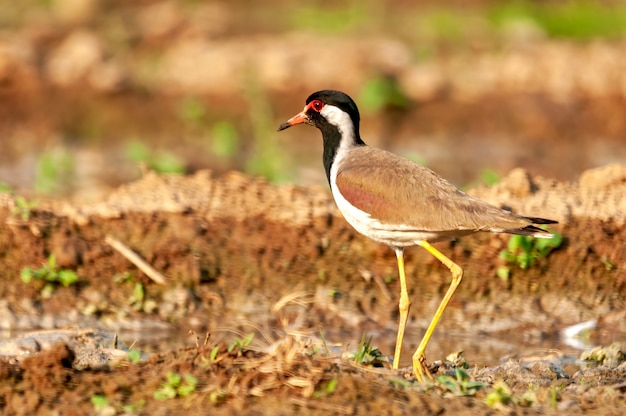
[[523, 251]]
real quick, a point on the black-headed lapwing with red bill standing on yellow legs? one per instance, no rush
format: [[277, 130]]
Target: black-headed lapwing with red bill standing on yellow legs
[[400, 203]]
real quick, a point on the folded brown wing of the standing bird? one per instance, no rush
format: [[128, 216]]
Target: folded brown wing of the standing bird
[[401, 192]]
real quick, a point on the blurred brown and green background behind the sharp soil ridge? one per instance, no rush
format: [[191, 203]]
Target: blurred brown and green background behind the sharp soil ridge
[[94, 92]]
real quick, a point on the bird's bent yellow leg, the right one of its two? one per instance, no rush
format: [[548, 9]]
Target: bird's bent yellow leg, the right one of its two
[[419, 358]]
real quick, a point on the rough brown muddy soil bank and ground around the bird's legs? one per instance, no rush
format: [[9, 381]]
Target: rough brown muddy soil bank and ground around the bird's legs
[[242, 256]]
